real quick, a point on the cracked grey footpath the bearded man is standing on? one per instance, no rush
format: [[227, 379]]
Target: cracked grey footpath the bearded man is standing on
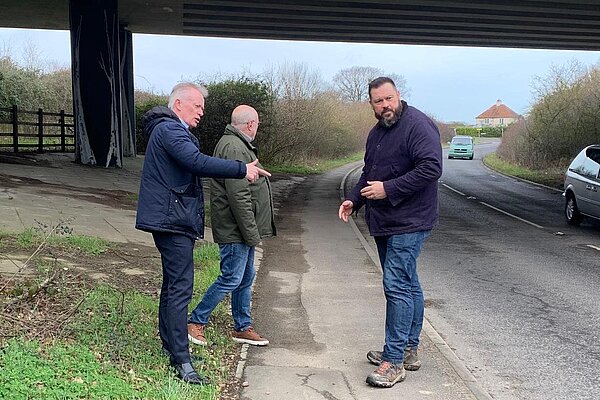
[[318, 298]]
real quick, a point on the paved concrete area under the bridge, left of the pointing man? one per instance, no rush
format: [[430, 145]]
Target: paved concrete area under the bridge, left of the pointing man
[[47, 190]]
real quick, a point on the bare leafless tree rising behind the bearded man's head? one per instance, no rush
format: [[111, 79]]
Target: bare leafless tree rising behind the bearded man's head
[[352, 83]]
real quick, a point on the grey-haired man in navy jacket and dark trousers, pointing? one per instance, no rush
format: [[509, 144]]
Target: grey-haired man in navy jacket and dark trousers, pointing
[[171, 207]]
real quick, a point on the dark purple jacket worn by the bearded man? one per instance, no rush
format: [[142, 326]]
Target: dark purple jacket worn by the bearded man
[[407, 158]]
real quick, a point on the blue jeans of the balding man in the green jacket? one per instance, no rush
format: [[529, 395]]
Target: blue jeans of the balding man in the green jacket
[[237, 275]]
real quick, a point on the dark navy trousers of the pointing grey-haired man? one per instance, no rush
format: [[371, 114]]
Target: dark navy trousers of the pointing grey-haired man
[[176, 292]]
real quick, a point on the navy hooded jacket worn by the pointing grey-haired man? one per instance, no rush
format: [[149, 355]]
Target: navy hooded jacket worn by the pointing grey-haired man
[[170, 196]]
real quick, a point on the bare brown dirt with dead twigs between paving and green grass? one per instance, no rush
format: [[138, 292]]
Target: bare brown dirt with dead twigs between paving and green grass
[[42, 293]]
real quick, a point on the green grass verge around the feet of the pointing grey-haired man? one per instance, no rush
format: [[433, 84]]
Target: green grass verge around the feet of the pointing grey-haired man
[[113, 351]]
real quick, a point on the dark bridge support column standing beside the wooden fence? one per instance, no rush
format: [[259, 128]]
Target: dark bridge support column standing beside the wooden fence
[[102, 100]]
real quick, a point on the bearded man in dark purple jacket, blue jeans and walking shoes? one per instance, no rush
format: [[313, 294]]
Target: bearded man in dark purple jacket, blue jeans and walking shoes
[[398, 186]]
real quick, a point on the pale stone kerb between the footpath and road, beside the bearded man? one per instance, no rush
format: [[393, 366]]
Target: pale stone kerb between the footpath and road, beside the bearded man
[[465, 375]]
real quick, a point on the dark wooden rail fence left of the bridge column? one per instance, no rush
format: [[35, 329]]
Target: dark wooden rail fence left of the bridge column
[[36, 131]]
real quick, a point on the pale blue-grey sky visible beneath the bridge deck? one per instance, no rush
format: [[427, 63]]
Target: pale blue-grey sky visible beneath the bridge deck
[[450, 83]]
